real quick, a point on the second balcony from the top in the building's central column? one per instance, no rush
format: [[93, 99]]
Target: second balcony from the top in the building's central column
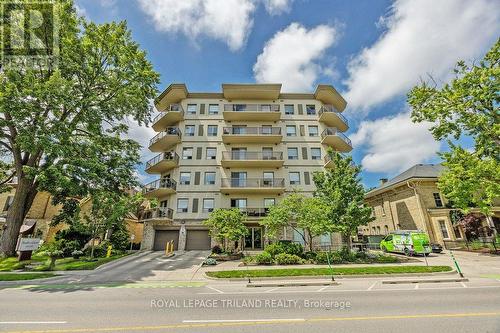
[[252, 135]]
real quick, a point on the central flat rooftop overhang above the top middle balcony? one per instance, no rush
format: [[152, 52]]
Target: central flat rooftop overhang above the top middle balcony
[[251, 91]]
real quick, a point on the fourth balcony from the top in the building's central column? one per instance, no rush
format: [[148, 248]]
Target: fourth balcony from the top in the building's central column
[[252, 185]]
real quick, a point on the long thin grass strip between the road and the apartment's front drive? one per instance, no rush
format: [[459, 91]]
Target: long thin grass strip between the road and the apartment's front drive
[[327, 271]]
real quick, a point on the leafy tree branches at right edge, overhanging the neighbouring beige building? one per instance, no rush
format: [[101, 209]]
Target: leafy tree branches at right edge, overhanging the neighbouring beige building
[[467, 106]]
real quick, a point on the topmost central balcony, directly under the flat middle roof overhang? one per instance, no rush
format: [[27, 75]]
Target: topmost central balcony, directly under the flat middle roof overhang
[[252, 112]]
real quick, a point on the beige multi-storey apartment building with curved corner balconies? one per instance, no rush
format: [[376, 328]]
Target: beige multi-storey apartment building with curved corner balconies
[[245, 147]]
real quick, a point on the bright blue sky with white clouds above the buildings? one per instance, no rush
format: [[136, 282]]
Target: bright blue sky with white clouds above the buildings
[[372, 51]]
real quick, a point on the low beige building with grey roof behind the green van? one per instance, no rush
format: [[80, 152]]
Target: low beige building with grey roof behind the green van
[[412, 201]]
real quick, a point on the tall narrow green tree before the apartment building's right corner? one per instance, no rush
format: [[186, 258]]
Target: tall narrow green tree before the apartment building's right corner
[[341, 189]]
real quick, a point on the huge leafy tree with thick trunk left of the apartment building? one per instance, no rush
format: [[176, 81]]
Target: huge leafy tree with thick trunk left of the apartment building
[[64, 126]]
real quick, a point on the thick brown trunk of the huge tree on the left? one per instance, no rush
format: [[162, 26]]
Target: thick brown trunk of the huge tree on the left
[[23, 199]]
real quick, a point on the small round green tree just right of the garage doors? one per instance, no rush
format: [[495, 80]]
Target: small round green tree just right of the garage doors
[[226, 225]]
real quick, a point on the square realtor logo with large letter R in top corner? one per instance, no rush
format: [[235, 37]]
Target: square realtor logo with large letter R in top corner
[[29, 34]]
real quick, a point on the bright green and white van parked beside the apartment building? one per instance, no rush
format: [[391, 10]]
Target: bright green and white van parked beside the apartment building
[[409, 242]]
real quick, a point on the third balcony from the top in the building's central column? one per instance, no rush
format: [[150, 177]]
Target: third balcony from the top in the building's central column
[[244, 159]]
